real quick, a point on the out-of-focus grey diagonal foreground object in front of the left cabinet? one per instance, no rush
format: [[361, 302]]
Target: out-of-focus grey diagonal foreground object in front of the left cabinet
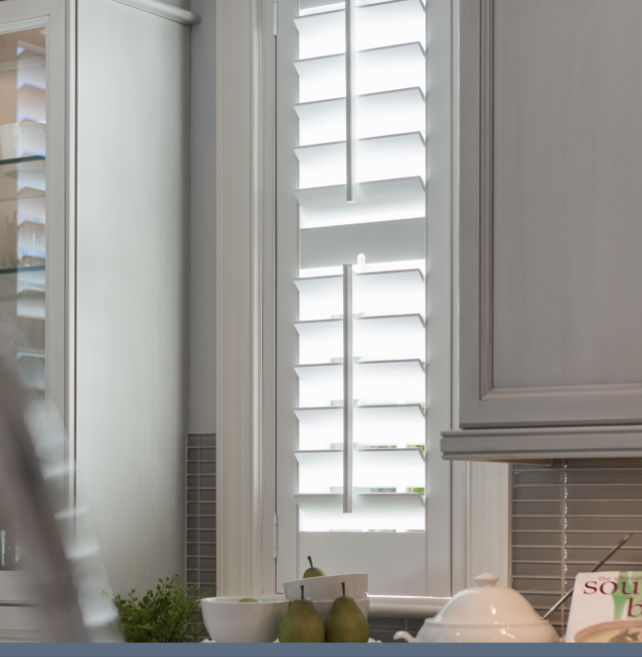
[[69, 583]]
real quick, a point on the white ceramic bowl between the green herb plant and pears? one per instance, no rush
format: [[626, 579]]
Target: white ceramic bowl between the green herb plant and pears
[[229, 621]]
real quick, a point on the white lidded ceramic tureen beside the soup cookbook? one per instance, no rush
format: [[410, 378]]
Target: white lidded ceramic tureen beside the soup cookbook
[[486, 613]]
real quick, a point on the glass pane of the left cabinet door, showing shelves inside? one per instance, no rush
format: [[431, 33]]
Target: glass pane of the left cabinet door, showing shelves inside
[[22, 226]]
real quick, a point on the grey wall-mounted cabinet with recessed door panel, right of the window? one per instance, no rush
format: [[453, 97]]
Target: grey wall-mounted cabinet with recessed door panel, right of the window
[[550, 231]]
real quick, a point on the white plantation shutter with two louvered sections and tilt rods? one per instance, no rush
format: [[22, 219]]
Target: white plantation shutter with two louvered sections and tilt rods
[[377, 458]]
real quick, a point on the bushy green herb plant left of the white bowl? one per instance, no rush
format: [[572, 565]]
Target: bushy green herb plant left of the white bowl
[[162, 615]]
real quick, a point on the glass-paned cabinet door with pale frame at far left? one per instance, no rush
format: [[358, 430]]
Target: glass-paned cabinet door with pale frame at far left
[[32, 252]]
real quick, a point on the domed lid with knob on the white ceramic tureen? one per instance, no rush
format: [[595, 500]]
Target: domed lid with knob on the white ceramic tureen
[[487, 604]]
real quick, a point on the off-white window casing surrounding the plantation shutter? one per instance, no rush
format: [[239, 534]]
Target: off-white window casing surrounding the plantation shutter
[[475, 504]]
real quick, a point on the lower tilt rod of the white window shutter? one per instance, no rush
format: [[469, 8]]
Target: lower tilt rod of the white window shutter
[[348, 402]]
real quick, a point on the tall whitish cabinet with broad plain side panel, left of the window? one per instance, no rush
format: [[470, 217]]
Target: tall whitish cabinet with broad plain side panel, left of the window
[[115, 184]]
